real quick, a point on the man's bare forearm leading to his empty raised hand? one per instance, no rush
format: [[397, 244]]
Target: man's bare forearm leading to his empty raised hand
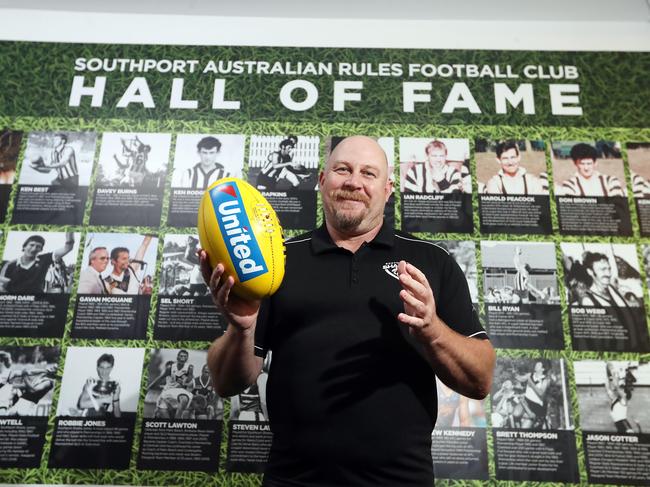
[[463, 363]]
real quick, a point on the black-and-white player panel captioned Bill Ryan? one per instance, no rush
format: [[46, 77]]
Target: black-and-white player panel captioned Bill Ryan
[[520, 290]]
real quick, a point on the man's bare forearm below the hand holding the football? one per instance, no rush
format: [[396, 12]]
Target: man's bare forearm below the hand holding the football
[[232, 361]]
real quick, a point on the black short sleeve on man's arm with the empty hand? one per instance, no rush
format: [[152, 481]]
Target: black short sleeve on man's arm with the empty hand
[[454, 305]]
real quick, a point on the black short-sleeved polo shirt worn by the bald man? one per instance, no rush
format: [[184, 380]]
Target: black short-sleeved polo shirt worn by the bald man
[[351, 396]]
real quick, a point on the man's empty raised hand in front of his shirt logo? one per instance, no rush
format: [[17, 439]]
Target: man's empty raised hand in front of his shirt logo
[[419, 304]]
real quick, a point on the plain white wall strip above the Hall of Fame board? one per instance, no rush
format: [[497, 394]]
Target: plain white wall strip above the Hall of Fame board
[[628, 31]]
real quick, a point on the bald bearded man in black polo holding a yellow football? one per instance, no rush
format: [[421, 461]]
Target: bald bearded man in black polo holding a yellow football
[[366, 317]]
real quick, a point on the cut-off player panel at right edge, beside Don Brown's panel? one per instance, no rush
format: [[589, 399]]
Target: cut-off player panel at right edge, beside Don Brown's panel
[[638, 156]]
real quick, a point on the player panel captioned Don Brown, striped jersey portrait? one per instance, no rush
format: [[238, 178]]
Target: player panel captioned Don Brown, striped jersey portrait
[[590, 188]]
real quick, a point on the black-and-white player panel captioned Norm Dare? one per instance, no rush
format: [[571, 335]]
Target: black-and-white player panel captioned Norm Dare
[[36, 275]]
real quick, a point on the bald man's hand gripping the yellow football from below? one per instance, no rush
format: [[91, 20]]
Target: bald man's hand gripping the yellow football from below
[[240, 312]]
